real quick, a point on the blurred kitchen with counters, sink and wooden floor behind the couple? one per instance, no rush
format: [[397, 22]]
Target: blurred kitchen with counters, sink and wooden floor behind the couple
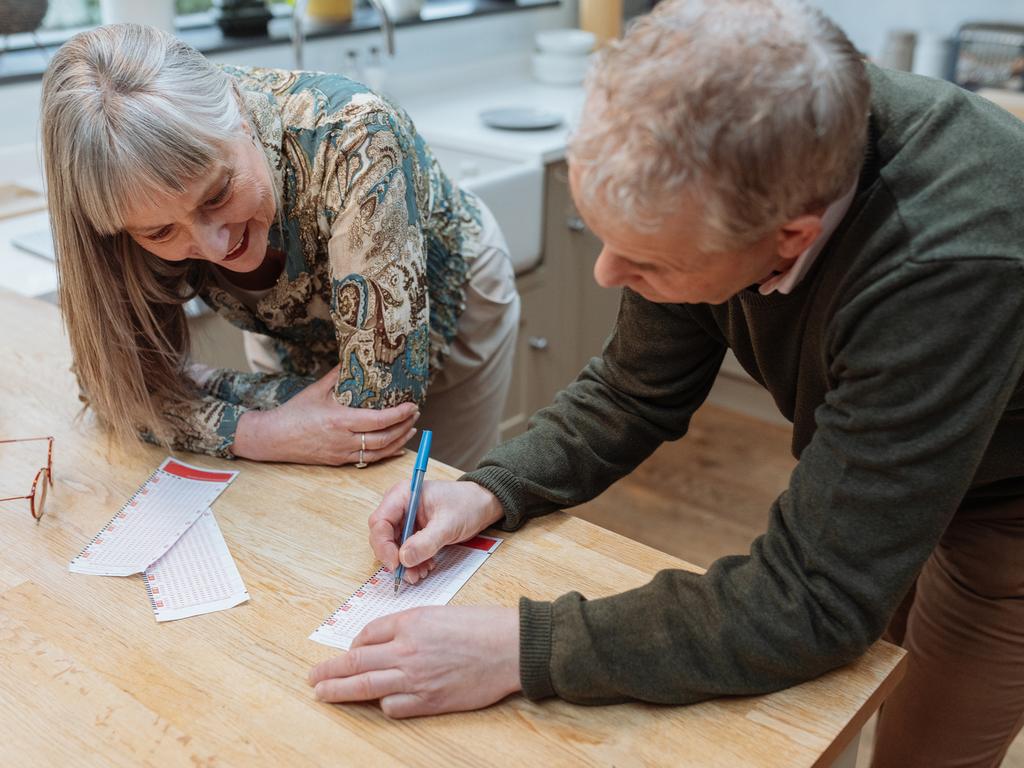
[[496, 87]]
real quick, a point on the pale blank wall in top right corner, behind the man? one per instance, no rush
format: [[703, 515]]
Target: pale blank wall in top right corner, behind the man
[[868, 21]]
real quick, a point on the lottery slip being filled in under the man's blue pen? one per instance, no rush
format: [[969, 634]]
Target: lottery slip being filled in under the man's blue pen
[[376, 598]]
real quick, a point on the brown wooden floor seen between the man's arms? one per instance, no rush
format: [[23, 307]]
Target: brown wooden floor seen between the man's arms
[[708, 496]]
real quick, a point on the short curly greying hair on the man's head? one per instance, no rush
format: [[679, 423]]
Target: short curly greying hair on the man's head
[[757, 109]]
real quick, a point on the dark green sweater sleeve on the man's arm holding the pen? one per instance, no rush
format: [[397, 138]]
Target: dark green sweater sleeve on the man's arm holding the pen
[[656, 370]]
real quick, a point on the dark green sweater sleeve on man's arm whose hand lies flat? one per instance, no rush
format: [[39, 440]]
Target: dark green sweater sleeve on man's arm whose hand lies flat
[[924, 365]]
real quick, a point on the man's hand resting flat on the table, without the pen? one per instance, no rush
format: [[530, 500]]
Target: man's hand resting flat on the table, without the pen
[[428, 661]]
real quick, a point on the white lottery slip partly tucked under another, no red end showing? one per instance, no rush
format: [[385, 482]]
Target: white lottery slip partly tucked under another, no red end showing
[[197, 576]]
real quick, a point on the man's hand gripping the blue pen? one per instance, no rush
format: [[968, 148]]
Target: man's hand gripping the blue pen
[[449, 513]]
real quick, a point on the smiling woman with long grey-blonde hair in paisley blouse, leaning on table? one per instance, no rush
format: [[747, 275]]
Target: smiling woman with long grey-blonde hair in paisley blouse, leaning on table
[[305, 209]]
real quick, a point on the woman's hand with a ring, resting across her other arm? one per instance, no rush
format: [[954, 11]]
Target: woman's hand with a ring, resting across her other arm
[[314, 429]]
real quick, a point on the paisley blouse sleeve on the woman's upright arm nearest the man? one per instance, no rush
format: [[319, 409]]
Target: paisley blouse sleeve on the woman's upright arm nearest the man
[[377, 268]]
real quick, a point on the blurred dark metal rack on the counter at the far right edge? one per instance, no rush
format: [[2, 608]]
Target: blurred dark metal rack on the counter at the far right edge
[[990, 56]]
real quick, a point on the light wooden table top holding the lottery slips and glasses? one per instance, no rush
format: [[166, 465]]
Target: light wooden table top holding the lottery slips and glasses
[[91, 678]]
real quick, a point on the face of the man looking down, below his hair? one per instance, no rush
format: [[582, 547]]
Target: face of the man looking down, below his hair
[[668, 267]]
